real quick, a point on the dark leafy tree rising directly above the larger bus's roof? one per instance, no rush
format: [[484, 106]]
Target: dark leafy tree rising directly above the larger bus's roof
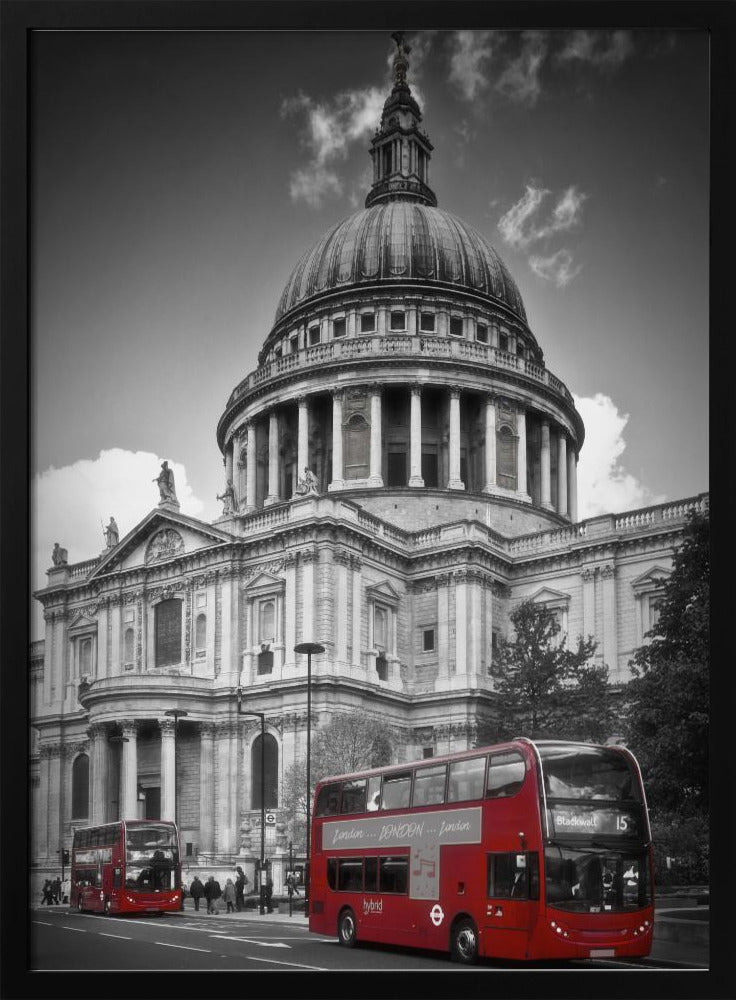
[[546, 689]]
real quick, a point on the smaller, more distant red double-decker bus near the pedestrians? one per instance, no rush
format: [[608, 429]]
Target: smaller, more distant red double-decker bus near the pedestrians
[[131, 866]]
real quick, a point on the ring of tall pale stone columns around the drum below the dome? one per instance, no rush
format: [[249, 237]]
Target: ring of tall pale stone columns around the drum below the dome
[[564, 502]]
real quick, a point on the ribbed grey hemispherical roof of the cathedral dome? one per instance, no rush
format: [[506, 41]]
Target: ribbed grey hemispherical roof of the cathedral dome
[[401, 241]]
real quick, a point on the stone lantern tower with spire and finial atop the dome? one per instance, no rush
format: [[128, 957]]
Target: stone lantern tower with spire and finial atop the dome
[[399, 150]]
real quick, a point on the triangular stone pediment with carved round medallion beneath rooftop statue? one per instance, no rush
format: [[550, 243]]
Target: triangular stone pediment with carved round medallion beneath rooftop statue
[[159, 538]]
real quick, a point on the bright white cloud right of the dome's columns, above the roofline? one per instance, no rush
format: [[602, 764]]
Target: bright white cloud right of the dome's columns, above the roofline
[[604, 485]]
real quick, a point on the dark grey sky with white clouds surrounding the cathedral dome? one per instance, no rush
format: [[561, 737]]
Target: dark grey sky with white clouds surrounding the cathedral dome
[[178, 177]]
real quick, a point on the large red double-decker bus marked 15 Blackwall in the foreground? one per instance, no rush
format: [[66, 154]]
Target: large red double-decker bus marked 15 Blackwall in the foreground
[[524, 850]]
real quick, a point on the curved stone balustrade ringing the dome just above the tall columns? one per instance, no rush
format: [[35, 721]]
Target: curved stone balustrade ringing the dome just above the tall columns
[[408, 345]]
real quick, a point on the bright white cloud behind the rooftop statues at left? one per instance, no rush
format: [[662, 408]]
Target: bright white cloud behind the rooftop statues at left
[[70, 505]]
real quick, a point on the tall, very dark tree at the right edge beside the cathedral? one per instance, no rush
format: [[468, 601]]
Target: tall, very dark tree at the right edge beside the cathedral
[[667, 701]]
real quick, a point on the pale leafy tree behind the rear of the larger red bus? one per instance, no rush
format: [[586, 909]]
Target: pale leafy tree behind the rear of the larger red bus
[[349, 742]]
